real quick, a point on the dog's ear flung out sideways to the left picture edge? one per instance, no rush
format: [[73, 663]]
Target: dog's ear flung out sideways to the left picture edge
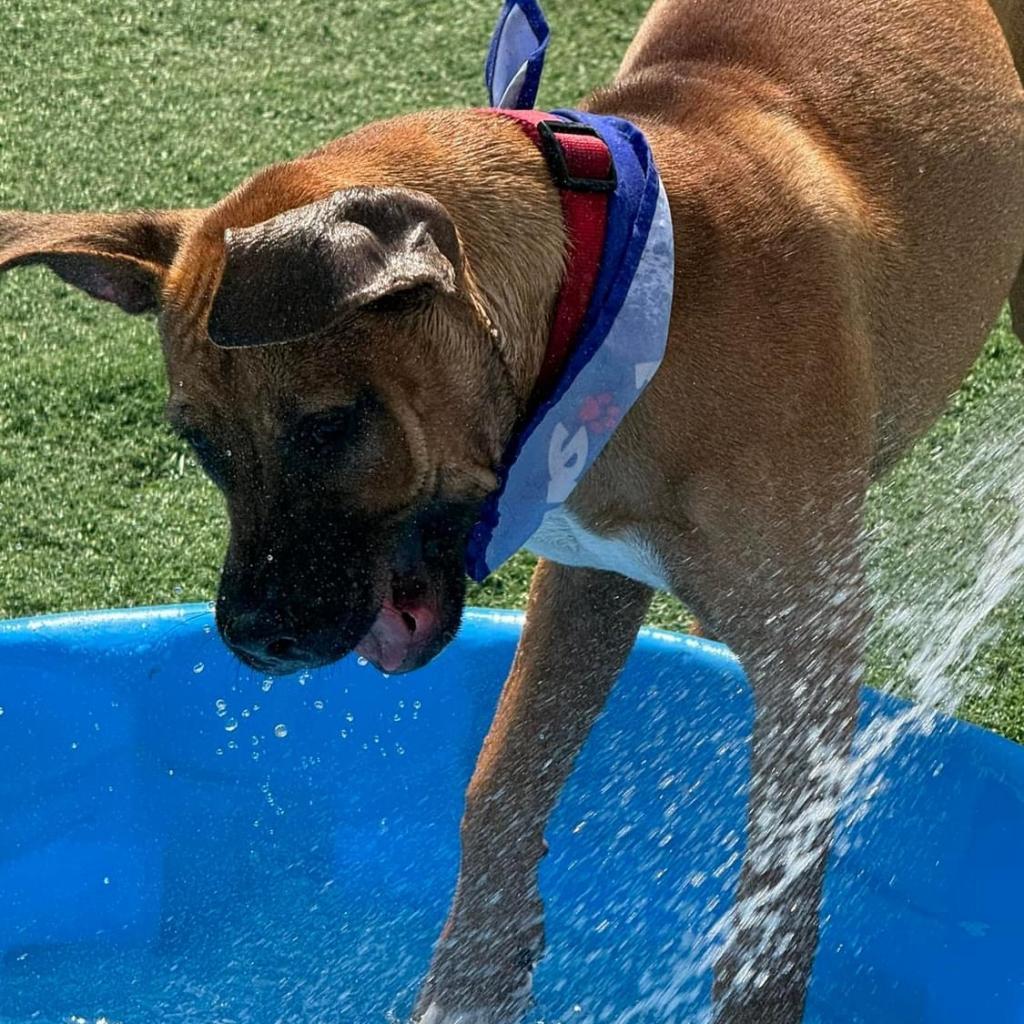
[[117, 258]]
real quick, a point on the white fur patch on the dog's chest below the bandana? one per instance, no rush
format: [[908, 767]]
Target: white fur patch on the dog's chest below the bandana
[[565, 540]]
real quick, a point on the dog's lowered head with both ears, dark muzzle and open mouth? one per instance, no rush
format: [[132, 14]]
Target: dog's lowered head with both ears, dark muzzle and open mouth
[[330, 364]]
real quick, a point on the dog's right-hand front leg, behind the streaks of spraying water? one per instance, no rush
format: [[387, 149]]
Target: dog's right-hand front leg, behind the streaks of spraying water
[[780, 581]]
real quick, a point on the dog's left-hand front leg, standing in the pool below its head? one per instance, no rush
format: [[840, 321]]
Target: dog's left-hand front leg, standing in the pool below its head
[[581, 625]]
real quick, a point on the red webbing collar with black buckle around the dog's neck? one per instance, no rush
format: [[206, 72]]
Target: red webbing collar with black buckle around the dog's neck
[[585, 174]]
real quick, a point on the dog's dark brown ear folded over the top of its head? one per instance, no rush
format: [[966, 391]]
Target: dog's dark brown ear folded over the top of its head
[[292, 276]]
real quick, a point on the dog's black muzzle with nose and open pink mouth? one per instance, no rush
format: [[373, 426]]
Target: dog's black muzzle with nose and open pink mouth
[[304, 601]]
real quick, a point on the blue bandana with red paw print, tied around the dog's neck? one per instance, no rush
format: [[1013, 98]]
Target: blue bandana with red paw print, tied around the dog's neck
[[622, 340]]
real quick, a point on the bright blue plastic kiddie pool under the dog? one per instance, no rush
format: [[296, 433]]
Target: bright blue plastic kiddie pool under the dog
[[182, 840]]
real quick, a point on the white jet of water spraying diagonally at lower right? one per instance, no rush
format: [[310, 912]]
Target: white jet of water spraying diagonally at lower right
[[946, 556]]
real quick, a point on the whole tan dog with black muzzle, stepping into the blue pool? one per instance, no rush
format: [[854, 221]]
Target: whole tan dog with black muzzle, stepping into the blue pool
[[847, 187]]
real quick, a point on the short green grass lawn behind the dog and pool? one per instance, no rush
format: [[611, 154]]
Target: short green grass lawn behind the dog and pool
[[113, 105]]
